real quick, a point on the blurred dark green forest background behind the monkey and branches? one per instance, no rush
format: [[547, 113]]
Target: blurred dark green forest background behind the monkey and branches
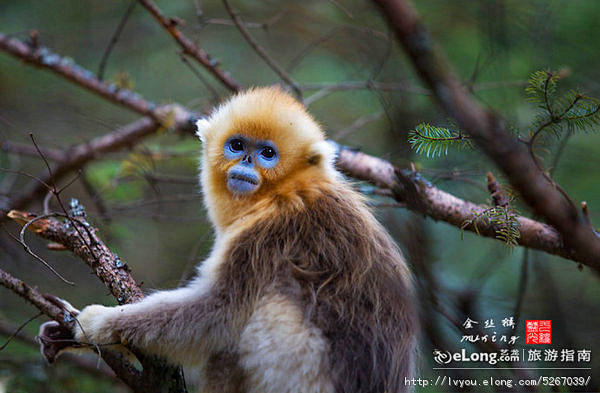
[[357, 83]]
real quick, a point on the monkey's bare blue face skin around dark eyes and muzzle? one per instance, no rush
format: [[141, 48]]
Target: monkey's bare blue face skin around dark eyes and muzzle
[[250, 155]]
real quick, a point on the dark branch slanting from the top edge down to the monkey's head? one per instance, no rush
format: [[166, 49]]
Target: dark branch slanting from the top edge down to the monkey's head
[[189, 48]]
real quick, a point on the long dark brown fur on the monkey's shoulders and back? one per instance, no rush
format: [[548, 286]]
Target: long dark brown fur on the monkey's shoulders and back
[[335, 260]]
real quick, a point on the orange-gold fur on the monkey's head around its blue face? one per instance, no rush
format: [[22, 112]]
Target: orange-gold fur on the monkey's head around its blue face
[[266, 114]]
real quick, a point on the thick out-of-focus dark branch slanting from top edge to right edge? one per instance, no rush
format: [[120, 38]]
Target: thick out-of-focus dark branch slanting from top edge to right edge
[[490, 134]]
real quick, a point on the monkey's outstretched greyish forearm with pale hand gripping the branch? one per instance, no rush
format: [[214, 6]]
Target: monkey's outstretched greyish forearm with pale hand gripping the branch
[[168, 323]]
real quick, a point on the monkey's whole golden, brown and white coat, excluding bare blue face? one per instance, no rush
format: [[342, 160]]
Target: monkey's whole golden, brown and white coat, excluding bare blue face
[[301, 275]]
